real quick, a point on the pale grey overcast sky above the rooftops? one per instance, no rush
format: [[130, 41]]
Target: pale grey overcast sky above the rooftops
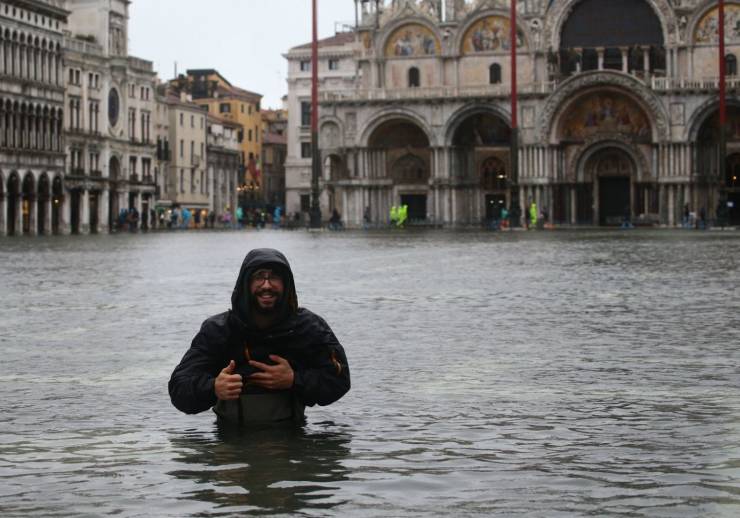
[[242, 39]]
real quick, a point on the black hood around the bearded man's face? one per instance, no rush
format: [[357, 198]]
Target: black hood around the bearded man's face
[[256, 259]]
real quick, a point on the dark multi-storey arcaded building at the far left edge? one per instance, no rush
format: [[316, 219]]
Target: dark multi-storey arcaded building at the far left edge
[[32, 192]]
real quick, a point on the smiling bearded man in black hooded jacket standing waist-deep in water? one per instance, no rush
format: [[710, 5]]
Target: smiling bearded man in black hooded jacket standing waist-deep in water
[[264, 360]]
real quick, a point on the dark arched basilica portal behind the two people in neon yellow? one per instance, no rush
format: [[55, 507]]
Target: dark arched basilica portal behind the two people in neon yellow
[[407, 161]]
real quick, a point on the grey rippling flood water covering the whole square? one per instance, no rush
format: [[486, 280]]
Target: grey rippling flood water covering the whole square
[[518, 374]]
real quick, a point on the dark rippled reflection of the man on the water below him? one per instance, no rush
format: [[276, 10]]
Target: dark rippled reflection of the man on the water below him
[[263, 470]]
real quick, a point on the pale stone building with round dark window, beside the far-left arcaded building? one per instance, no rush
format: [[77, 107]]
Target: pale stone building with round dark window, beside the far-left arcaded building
[[111, 101]]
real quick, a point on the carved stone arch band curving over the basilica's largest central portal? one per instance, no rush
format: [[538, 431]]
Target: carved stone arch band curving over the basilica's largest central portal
[[625, 84]]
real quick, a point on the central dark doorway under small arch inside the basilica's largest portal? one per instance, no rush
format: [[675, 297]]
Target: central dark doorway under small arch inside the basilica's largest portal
[[612, 171]]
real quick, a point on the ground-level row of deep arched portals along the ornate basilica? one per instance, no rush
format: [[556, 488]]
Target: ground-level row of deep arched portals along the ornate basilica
[[603, 164]]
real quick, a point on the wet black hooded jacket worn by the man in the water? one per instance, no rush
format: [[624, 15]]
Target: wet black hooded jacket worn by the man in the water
[[321, 373]]
